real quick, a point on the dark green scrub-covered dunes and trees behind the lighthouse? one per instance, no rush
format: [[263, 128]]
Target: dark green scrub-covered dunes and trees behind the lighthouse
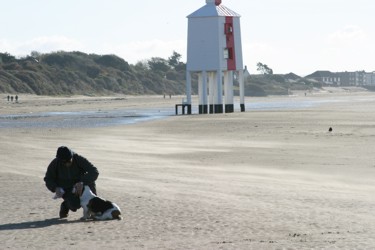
[[78, 73]]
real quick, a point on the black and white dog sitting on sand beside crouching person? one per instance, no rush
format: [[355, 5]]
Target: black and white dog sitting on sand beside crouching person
[[98, 208]]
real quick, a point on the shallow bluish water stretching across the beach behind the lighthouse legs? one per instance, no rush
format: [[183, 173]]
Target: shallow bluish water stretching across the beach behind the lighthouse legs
[[88, 119]]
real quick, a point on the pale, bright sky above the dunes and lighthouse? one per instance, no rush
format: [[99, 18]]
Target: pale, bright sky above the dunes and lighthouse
[[299, 36]]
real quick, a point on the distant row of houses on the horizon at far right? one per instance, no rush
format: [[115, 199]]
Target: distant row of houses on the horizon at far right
[[357, 78]]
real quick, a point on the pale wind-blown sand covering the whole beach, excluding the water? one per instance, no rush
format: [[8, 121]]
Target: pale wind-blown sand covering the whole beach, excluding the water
[[273, 179]]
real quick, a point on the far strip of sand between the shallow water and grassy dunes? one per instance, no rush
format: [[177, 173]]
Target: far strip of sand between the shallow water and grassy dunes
[[33, 104]]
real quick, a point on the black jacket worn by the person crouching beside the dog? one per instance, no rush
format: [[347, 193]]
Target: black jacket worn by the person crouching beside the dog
[[59, 175]]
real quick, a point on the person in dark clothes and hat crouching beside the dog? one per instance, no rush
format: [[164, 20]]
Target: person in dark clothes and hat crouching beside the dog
[[66, 175]]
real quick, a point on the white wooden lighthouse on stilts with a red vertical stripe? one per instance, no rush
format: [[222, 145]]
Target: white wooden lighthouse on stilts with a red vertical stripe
[[214, 53]]
